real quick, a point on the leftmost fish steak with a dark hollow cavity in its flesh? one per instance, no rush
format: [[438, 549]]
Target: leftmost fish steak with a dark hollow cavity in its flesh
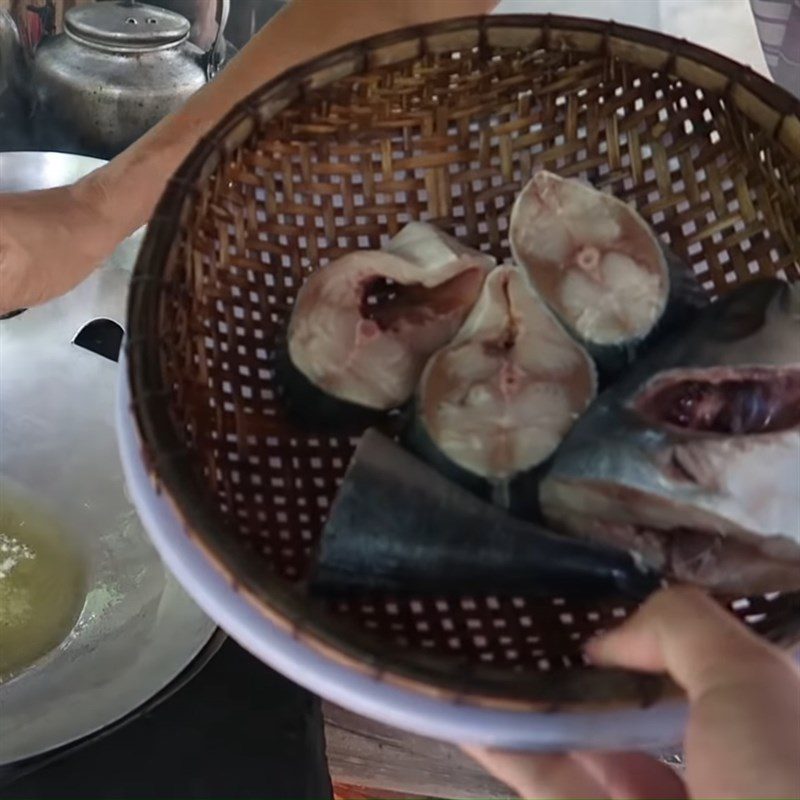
[[371, 356]]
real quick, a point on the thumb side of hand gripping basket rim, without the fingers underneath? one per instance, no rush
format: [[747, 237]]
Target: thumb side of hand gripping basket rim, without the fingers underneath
[[743, 735]]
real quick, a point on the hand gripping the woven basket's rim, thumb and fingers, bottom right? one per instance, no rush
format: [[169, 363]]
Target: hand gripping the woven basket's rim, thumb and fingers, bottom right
[[743, 735]]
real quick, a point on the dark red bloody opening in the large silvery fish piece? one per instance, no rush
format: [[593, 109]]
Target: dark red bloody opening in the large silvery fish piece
[[755, 401]]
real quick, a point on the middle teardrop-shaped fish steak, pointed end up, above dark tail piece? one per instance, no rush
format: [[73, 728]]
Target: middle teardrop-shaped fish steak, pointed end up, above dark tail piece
[[499, 398]]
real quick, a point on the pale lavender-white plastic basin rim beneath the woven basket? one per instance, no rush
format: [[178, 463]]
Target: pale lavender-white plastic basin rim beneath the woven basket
[[655, 729]]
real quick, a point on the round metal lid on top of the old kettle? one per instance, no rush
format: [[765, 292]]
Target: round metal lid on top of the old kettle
[[126, 25]]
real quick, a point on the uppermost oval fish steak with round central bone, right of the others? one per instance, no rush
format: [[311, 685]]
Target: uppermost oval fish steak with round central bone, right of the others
[[598, 265]]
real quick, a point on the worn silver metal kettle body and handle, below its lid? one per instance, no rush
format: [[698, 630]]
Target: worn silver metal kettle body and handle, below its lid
[[117, 69]]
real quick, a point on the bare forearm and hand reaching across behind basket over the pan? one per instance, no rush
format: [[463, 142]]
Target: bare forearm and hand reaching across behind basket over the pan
[[51, 240]]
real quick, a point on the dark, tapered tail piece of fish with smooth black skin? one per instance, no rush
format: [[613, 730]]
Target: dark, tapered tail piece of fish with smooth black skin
[[398, 526]]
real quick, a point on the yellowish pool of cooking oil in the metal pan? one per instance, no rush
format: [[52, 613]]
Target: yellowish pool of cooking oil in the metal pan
[[42, 585]]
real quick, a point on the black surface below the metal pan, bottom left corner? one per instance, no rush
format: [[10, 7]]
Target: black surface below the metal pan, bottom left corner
[[236, 730]]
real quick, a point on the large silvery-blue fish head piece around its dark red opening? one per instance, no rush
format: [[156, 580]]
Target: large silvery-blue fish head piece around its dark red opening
[[627, 478]]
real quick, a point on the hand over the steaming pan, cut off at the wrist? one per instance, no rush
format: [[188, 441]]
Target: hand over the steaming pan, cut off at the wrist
[[49, 241]]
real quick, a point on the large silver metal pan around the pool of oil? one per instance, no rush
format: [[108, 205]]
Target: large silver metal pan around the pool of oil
[[138, 629]]
